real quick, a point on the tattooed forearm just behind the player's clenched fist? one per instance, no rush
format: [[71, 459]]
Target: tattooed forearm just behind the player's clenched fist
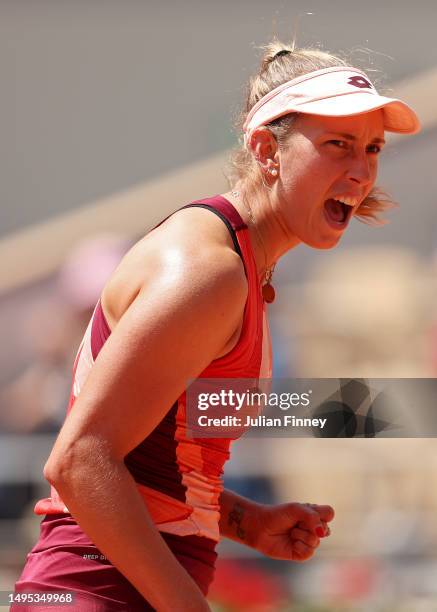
[[239, 518]]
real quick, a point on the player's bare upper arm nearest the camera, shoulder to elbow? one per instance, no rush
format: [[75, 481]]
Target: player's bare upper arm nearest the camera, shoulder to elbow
[[177, 324]]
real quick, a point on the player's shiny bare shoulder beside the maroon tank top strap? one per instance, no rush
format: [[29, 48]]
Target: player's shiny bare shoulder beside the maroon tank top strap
[[193, 246]]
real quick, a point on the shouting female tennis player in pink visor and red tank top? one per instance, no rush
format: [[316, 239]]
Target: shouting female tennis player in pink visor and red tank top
[[137, 506]]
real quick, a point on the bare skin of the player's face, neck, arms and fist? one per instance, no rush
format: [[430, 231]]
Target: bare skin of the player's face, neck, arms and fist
[[175, 304]]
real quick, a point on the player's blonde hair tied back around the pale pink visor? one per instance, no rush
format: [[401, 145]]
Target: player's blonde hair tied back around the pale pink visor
[[279, 64]]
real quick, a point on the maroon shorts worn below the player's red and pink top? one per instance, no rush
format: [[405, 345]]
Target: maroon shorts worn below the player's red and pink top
[[64, 559]]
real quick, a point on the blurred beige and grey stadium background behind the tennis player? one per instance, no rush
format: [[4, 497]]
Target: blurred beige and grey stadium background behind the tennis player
[[114, 114]]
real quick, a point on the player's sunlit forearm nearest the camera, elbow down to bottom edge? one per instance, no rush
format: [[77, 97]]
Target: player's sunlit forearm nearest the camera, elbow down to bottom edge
[[104, 500]]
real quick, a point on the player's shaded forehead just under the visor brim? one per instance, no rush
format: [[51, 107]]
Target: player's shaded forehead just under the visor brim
[[366, 126]]
